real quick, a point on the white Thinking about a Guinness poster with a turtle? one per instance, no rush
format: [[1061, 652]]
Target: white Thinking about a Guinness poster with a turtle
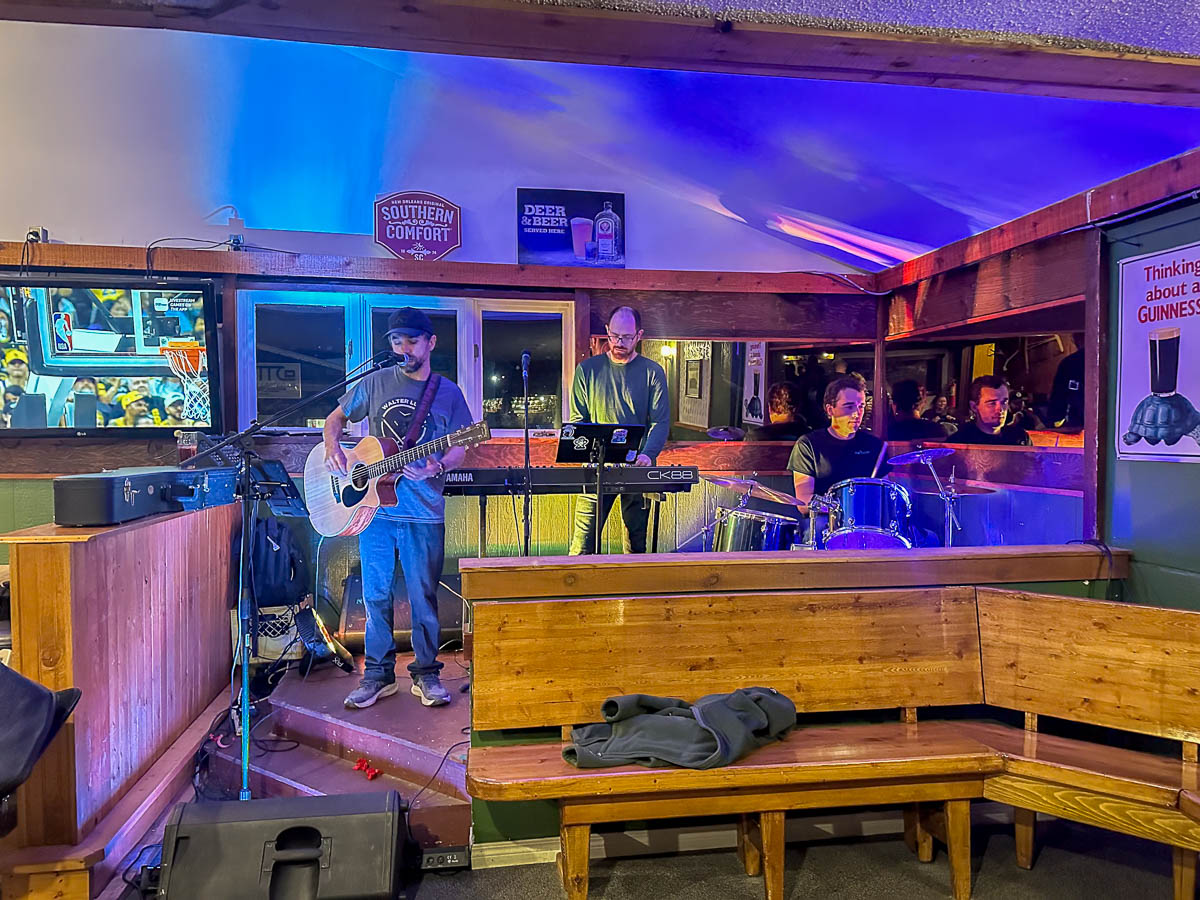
[[1159, 357]]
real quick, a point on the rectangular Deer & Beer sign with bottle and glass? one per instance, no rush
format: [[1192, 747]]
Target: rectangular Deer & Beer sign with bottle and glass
[[571, 229]]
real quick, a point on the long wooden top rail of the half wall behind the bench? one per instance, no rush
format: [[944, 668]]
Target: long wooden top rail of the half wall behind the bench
[[830, 571]]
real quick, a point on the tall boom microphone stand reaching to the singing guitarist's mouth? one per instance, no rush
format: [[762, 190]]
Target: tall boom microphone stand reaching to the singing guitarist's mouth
[[248, 610]]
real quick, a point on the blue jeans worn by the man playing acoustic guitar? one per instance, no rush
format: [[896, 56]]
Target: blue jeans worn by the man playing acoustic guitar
[[421, 548]]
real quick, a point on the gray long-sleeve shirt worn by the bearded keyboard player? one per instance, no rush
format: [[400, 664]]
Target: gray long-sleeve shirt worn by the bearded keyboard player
[[632, 394]]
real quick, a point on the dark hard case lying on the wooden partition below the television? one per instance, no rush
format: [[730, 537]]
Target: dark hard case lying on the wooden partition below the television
[[118, 496]]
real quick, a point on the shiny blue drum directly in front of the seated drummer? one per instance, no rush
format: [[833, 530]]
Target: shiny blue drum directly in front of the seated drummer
[[869, 513]]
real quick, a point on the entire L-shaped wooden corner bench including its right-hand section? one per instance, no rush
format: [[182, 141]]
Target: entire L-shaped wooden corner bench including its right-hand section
[[554, 659]]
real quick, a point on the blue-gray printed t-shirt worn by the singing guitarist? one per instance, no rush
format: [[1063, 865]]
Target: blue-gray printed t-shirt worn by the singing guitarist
[[391, 399]]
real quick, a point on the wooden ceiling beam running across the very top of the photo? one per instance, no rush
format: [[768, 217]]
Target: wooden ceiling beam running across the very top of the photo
[[514, 29]]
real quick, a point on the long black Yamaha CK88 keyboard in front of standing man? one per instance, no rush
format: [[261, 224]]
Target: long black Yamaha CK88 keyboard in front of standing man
[[617, 479]]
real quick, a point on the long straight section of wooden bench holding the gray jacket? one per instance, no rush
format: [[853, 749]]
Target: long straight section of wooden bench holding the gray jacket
[[553, 663]]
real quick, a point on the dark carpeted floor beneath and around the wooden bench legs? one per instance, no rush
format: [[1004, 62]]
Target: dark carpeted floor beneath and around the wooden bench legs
[[1073, 862]]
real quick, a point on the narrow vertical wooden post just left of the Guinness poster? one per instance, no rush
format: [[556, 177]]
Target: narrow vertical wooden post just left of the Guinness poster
[[1097, 430]]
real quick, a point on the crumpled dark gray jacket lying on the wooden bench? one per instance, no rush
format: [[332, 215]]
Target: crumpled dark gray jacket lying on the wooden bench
[[665, 731]]
